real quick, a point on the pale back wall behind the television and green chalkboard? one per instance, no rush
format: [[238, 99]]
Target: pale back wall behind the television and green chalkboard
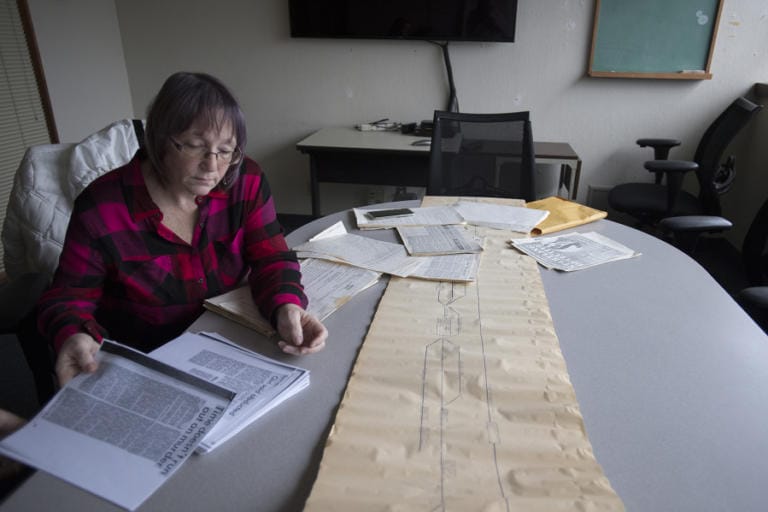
[[291, 87]]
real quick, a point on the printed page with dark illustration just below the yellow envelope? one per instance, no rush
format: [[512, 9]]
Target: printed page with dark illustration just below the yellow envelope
[[574, 251]]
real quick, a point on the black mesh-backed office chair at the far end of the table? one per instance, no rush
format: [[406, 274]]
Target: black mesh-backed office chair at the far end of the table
[[482, 155]]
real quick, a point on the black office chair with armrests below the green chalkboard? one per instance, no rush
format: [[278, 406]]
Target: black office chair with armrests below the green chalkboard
[[651, 202]]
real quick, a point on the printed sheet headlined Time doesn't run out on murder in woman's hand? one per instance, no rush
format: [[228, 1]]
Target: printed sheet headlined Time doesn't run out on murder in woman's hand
[[120, 432]]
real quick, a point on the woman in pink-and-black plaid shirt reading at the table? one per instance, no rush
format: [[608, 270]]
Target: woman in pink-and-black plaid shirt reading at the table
[[188, 218]]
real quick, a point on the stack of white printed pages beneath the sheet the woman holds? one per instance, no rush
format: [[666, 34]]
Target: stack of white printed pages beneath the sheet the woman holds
[[261, 383]]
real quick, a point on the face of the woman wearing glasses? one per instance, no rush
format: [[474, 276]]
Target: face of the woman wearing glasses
[[199, 157]]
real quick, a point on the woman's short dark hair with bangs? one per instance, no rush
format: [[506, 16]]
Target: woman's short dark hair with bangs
[[184, 99]]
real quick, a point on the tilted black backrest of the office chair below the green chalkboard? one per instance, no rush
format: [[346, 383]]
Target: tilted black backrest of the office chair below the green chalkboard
[[714, 175]]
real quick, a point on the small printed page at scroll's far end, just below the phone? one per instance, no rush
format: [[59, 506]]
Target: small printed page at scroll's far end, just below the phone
[[434, 240]]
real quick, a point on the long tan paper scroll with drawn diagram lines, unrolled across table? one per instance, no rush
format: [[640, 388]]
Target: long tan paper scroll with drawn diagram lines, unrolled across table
[[481, 413]]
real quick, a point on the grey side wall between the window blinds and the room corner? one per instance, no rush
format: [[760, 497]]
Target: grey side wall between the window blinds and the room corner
[[82, 55]]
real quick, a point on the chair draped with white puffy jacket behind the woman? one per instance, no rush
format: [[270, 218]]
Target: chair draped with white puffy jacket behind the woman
[[46, 184]]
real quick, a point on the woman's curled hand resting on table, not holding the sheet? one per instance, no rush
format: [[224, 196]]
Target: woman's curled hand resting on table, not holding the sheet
[[300, 333]]
